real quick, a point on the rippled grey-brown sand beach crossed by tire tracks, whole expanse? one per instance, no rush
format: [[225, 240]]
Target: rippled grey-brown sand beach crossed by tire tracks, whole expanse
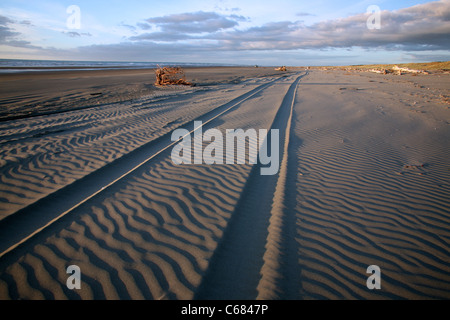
[[364, 180]]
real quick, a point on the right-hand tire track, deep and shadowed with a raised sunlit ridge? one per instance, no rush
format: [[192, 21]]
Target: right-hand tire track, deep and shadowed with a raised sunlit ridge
[[249, 262]]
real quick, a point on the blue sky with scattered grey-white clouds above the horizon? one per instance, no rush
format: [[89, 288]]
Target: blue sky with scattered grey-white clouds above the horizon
[[262, 32]]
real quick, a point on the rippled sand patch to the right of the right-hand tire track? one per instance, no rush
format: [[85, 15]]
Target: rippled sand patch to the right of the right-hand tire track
[[361, 203]]
